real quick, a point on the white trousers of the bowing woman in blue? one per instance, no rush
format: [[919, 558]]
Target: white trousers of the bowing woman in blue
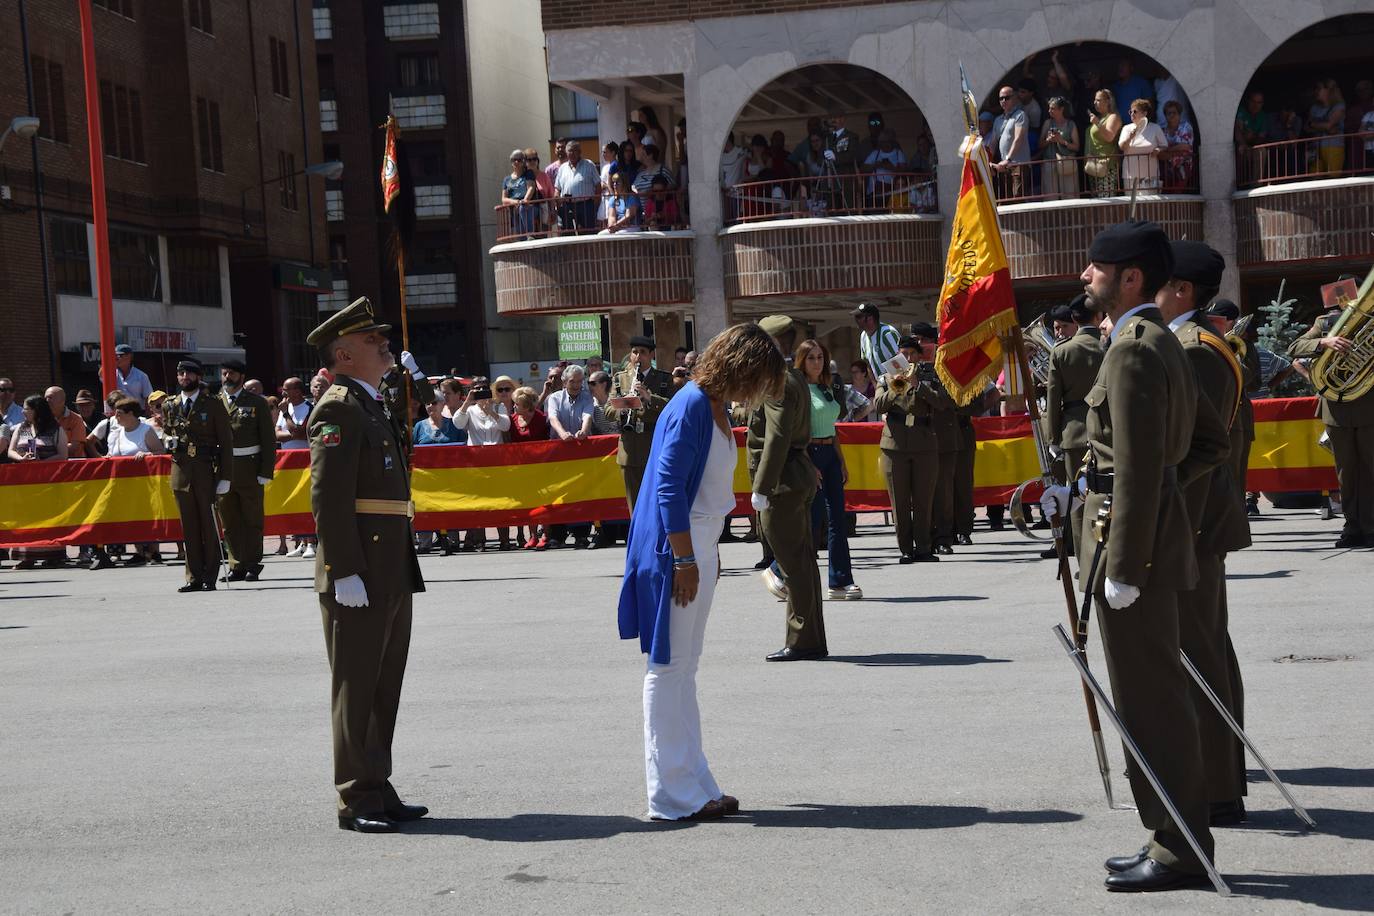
[[675, 766]]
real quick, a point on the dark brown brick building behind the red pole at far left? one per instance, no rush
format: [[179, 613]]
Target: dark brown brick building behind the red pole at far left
[[204, 109]]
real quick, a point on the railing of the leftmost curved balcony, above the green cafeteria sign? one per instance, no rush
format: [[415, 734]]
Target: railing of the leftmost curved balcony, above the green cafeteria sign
[[657, 211]]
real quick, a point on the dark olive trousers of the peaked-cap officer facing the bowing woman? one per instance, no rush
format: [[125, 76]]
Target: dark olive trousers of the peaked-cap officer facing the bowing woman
[[368, 649]]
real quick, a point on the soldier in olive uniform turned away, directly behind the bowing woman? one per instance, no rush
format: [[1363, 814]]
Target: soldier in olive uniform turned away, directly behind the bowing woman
[[784, 487]]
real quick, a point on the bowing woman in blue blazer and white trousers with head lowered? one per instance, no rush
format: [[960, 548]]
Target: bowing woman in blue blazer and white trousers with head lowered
[[673, 561]]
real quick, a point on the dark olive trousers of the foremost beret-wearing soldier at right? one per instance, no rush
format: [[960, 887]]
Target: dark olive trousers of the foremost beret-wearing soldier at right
[[1153, 696]]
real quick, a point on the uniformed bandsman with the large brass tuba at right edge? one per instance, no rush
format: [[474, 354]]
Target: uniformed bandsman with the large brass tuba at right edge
[[1351, 429]]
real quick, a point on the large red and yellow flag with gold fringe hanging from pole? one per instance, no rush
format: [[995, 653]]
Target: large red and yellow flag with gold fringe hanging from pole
[[976, 303]]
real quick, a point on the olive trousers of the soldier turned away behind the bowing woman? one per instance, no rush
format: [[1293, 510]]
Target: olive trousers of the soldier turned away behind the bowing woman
[[787, 524]]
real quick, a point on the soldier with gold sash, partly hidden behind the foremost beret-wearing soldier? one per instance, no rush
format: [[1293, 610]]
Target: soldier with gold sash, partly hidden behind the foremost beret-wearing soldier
[[1217, 510]]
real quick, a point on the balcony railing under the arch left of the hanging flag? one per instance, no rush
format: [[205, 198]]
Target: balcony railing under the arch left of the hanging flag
[[831, 196]]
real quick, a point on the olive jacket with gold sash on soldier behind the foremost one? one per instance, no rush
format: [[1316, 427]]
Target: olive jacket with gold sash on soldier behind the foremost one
[[1215, 509]]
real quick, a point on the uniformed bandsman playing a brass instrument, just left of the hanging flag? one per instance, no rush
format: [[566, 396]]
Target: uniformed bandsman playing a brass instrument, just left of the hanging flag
[[909, 453]]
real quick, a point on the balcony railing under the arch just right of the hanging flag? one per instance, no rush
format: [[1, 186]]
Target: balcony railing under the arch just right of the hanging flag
[[1079, 178]]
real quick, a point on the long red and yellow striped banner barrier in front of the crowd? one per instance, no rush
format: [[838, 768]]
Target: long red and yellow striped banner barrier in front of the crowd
[[455, 487]]
